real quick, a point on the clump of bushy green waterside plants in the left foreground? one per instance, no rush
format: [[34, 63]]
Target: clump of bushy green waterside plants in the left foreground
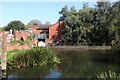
[[29, 58]]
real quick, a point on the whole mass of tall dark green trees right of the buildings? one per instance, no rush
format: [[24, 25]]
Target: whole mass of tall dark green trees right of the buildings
[[91, 26]]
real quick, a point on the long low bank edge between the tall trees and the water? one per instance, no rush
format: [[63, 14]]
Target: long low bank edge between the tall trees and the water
[[83, 47]]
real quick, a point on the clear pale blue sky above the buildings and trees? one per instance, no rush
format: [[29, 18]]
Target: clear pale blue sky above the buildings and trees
[[26, 11]]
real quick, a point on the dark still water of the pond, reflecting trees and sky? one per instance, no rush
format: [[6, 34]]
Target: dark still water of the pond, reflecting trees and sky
[[75, 64]]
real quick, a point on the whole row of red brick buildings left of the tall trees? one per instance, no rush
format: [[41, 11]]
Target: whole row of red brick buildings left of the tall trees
[[48, 34]]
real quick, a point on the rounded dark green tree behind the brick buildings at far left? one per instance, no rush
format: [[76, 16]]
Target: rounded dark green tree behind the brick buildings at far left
[[15, 25]]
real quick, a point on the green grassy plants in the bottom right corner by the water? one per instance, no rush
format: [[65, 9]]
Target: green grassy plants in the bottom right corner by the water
[[108, 75]]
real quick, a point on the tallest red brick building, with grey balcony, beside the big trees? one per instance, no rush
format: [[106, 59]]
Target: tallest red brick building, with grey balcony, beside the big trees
[[48, 34]]
